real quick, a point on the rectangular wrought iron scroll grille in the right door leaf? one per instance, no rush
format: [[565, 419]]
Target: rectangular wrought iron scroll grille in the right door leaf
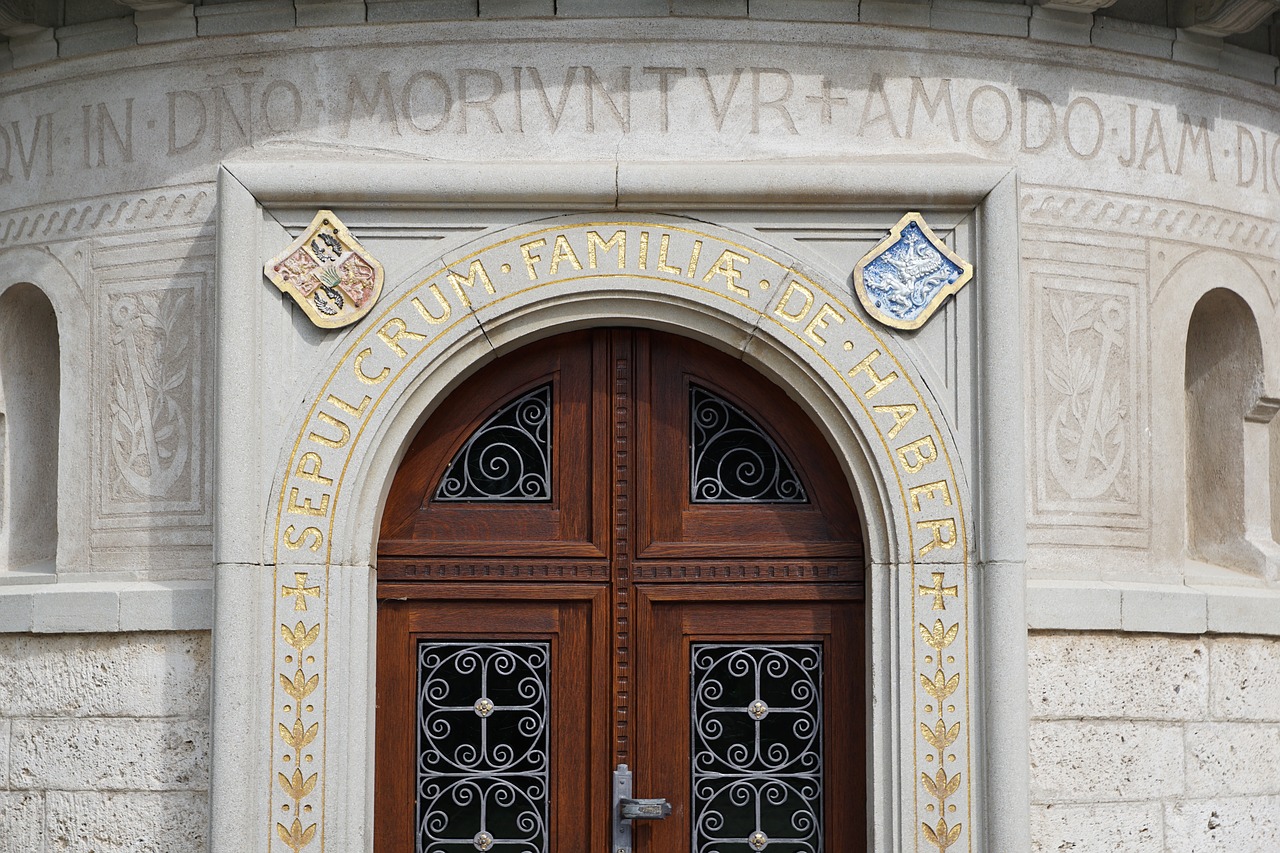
[[757, 749]]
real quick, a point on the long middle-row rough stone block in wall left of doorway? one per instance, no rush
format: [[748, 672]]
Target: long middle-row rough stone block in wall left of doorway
[[116, 755]]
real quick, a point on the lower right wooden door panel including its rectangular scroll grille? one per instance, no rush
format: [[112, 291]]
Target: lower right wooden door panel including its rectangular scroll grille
[[703, 749]]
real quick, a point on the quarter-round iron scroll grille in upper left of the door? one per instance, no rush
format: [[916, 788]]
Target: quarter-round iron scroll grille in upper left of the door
[[509, 458]]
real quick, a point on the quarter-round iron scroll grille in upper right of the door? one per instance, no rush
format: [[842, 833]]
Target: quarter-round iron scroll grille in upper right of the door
[[734, 459]]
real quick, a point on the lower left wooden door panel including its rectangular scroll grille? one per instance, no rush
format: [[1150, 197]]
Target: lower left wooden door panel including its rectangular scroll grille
[[495, 706]]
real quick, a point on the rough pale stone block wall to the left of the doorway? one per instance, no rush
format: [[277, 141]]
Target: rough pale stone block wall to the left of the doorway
[[104, 743]]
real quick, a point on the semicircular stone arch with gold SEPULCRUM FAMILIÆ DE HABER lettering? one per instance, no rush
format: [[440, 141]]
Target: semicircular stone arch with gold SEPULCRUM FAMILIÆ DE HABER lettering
[[661, 272]]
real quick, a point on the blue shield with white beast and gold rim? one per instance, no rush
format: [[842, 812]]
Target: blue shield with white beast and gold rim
[[909, 275]]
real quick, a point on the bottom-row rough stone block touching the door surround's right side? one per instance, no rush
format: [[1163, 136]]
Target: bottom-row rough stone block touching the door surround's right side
[[1099, 828]]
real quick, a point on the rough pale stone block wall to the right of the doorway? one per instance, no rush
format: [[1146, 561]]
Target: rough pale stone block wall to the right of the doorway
[[1148, 743]]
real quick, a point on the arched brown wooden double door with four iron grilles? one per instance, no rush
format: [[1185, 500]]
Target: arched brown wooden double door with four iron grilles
[[620, 548]]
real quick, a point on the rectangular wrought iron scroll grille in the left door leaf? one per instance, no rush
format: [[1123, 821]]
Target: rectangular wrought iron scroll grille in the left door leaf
[[483, 747]]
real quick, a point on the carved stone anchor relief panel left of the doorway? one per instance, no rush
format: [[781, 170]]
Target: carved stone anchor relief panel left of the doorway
[[152, 373]]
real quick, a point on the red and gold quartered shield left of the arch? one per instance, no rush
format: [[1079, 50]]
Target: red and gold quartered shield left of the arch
[[328, 273]]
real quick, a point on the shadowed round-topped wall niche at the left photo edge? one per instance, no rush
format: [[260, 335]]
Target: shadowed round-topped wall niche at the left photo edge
[[30, 410]]
